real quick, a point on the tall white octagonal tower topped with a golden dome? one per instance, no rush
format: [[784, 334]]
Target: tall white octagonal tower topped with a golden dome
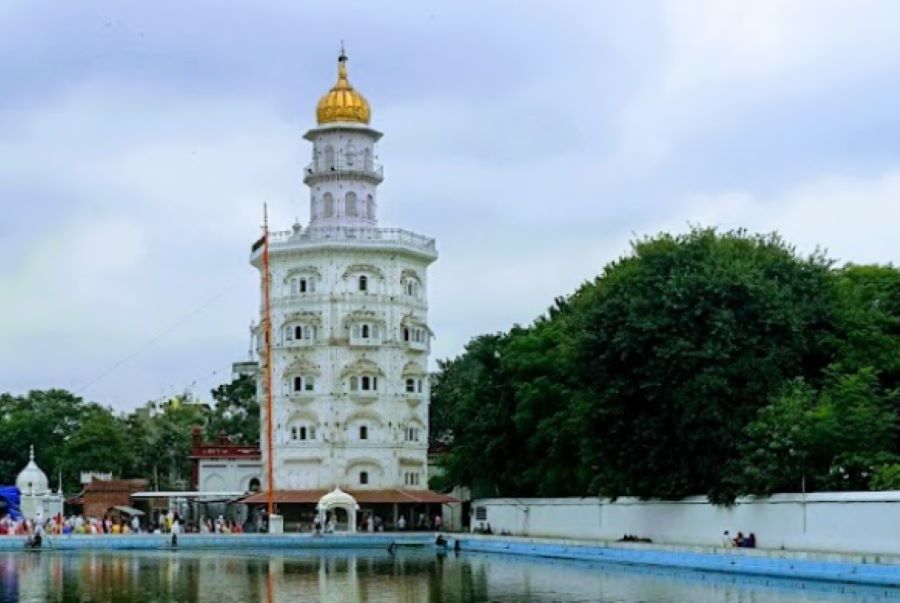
[[349, 322]]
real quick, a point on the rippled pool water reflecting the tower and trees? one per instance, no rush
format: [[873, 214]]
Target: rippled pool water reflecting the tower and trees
[[375, 577]]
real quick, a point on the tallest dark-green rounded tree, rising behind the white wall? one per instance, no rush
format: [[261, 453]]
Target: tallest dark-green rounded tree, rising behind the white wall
[[680, 344]]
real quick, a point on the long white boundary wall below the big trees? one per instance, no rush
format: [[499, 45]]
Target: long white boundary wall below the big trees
[[850, 522]]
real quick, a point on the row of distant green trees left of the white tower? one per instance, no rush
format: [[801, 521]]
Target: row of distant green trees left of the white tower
[[153, 441]]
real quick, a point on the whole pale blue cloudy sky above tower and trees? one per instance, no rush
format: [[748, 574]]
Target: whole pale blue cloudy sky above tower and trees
[[138, 142]]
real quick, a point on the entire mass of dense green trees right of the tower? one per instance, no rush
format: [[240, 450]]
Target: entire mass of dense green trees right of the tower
[[691, 366]]
